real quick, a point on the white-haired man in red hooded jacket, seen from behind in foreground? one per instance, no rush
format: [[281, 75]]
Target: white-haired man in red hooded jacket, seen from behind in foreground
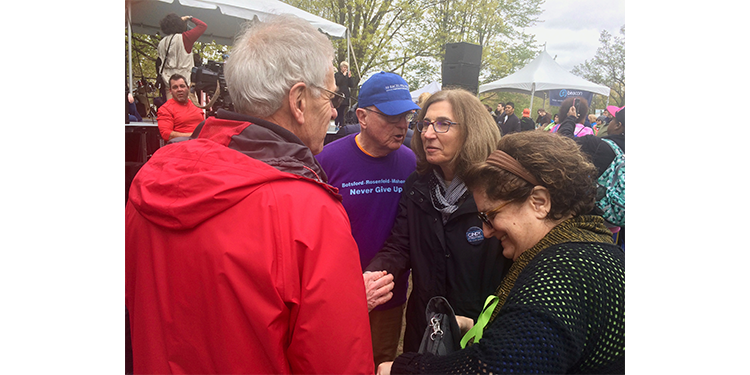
[[238, 254]]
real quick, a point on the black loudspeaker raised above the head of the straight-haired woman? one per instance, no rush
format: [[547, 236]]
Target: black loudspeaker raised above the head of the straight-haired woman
[[461, 66]]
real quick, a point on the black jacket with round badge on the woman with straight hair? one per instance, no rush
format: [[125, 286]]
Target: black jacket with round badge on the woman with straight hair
[[452, 260]]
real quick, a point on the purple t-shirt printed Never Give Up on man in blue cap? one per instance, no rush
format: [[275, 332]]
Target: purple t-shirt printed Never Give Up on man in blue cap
[[371, 188]]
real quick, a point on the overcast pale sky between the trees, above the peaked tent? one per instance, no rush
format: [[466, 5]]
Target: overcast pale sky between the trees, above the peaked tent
[[571, 28]]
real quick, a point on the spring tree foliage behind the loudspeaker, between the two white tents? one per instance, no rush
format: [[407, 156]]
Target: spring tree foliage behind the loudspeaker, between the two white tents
[[409, 36]]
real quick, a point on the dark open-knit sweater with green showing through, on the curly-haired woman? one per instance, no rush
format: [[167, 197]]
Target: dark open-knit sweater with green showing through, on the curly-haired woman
[[561, 311]]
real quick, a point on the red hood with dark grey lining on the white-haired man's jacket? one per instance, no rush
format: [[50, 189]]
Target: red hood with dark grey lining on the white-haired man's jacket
[[186, 183]]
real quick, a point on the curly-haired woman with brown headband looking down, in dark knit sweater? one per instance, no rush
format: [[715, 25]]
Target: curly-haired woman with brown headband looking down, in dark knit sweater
[[561, 307]]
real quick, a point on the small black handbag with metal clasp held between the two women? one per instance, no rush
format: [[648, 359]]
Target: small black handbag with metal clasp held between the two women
[[442, 335]]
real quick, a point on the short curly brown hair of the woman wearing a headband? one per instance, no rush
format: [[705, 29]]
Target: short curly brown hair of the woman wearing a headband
[[556, 161]]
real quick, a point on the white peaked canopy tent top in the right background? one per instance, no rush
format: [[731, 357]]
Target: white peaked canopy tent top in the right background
[[541, 75]]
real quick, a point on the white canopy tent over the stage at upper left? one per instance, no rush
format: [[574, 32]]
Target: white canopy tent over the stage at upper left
[[223, 17]]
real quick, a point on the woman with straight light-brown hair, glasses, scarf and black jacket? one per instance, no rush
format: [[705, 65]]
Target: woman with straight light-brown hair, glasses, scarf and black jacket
[[437, 233]]
